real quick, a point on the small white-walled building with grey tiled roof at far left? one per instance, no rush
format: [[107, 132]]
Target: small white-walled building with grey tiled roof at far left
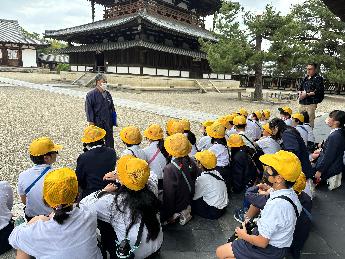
[[16, 49]]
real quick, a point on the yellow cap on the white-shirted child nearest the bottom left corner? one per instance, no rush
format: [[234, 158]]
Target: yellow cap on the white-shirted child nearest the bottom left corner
[[60, 187]]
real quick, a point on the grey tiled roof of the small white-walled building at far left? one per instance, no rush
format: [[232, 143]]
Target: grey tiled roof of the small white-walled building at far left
[[11, 32]]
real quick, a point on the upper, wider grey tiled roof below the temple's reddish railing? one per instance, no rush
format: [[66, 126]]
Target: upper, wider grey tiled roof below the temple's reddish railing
[[110, 23]]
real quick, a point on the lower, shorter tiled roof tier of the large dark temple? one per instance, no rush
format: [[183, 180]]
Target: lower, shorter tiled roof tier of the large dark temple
[[131, 44]]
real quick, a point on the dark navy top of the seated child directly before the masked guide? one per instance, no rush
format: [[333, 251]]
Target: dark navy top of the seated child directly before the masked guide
[[92, 166]]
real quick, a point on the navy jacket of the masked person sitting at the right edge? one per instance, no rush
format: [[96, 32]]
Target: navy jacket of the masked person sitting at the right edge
[[330, 161]]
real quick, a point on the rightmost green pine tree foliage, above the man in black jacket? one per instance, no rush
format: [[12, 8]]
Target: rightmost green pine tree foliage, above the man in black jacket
[[312, 34]]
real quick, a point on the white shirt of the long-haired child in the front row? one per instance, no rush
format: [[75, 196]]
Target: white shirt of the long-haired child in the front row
[[106, 211]]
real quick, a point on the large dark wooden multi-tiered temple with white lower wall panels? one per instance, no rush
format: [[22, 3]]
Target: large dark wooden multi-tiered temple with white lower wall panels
[[144, 37]]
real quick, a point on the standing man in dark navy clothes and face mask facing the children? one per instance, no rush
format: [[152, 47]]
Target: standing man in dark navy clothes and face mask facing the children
[[100, 110]]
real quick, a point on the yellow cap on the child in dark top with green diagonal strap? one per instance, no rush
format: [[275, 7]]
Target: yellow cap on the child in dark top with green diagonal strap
[[177, 145]]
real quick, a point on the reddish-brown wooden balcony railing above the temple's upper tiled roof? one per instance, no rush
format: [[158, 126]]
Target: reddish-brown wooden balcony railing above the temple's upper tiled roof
[[154, 8]]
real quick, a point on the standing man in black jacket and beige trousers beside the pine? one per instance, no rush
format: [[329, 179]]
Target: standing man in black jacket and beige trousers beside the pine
[[311, 92]]
